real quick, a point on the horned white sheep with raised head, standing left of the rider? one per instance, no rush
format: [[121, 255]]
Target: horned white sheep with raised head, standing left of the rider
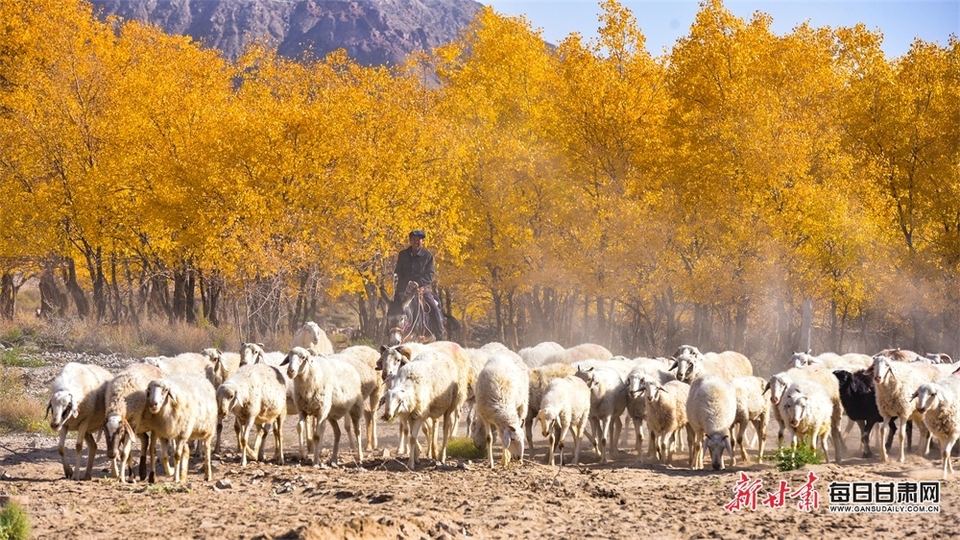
[[328, 390]]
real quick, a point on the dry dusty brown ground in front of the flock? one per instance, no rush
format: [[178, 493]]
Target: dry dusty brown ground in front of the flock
[[382, 499]]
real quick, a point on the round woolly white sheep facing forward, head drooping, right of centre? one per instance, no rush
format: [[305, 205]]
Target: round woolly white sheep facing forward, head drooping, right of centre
[[711, 411]]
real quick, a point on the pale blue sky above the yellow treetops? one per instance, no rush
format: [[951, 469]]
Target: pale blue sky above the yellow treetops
[[662, 22]]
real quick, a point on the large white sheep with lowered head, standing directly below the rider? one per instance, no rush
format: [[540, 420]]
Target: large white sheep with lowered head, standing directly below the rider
[[424, 389]]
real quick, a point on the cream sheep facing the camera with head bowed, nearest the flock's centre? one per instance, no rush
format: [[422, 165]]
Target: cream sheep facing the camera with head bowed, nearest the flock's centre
[[564, 407]]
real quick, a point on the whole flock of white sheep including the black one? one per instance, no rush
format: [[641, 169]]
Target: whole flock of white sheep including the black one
[[425, 388]]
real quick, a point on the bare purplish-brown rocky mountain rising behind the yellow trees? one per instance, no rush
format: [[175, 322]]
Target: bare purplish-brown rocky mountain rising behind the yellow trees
[[373, 32]]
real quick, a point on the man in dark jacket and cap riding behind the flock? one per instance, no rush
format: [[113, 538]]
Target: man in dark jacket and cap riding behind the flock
[[415, 268]]
